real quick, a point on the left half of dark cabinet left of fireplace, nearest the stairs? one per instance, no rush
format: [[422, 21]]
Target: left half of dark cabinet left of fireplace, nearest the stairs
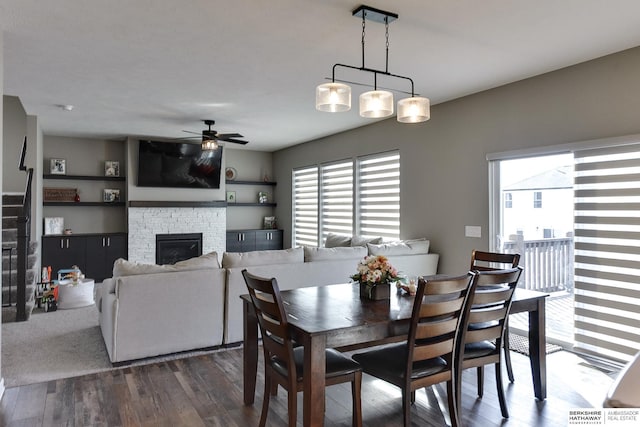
[[62, 252]]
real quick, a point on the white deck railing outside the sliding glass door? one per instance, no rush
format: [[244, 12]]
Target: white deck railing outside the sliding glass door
[[548, 263]]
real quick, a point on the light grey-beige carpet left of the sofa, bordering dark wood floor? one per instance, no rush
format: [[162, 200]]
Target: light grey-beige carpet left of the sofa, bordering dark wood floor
[[59, 344]]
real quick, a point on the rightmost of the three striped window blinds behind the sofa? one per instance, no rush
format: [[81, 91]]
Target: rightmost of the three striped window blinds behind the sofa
[[379, 196]]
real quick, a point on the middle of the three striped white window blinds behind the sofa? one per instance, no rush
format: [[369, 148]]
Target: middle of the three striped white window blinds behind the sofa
[[336, 198]]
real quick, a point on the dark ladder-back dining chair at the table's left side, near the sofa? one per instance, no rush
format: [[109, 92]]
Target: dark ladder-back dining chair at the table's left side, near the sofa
[[283, 360]]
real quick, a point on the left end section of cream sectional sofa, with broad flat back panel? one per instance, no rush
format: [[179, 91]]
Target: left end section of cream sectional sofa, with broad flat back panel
[[150, 310]]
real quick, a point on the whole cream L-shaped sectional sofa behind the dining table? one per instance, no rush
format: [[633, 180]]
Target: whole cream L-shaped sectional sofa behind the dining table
[[151, 310]]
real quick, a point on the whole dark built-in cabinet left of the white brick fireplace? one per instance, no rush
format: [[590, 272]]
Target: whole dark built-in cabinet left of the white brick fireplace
[[94, 254]]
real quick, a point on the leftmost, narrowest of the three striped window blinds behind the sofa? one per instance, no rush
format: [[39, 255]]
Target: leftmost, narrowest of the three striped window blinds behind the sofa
[[305, 207]]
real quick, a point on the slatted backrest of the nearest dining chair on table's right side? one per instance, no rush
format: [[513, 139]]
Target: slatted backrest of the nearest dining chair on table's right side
[[435, 328]]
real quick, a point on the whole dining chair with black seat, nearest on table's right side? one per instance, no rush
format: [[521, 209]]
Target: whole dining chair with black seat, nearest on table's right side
[[432, 352]]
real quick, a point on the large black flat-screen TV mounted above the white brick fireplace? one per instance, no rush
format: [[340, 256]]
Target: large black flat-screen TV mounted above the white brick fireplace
[[180, 165]]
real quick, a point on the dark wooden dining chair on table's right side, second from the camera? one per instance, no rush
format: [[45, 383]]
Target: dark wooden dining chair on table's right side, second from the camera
[[490, 305]]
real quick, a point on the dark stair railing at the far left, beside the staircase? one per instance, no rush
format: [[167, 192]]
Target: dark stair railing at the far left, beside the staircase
[[24, 237]]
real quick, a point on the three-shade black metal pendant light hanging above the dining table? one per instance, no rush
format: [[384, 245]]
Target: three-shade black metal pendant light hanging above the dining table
[[336, 96]]
